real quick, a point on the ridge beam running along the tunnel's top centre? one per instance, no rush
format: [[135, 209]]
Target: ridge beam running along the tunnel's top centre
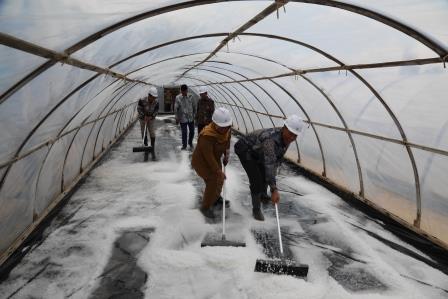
[[263, 14]]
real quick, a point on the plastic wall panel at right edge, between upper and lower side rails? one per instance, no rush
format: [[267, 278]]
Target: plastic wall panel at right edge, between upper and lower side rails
[[418, 96]]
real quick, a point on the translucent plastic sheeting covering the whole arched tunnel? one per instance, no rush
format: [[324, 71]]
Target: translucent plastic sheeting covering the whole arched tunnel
[[81, 117]]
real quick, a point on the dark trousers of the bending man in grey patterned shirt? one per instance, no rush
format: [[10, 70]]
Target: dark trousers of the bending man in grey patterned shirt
[[255, 173]]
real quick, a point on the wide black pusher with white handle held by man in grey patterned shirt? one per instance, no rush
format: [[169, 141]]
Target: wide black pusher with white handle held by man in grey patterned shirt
[[282, 265]]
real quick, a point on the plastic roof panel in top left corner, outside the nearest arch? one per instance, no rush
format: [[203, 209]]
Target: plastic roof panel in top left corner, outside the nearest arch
[[60, 24]]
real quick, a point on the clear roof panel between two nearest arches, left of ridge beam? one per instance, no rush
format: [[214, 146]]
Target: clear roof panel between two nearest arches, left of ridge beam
[[170, 26]]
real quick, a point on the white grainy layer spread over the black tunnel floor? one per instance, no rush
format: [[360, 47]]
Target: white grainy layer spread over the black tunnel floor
[[124, 193]]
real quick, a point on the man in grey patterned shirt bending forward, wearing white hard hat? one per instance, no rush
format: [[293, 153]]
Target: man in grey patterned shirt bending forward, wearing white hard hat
[[260, 153]]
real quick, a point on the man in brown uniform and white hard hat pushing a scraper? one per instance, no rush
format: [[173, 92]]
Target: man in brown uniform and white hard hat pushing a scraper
[[213, 144]]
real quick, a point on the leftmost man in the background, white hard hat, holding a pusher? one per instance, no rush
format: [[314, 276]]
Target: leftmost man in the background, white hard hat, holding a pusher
[[147, 110]]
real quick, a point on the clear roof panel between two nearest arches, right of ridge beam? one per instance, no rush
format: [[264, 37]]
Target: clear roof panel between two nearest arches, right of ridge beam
[[349, 37]]
